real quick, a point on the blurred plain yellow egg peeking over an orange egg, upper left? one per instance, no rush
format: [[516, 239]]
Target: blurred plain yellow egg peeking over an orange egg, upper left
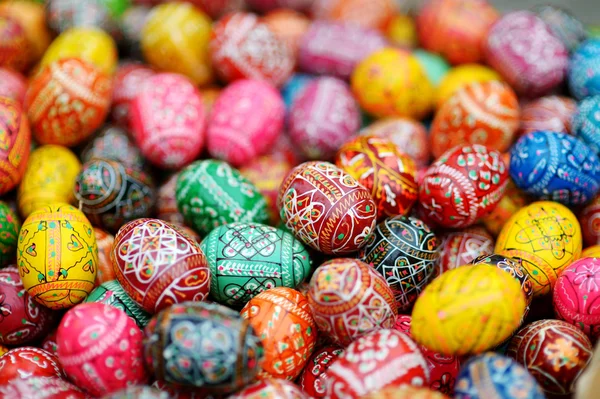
[[89, 44]]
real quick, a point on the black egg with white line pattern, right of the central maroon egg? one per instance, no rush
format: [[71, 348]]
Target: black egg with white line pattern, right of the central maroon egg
[[404, 251]]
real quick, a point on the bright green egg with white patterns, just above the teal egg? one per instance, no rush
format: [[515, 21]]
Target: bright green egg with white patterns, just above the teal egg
[[211, 193]]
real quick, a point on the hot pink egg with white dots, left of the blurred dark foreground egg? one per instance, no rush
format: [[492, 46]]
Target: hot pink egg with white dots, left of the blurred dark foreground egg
[[100, 348]]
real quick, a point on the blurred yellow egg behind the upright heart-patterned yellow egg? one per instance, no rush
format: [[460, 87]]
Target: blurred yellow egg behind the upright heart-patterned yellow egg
[[49, 178]]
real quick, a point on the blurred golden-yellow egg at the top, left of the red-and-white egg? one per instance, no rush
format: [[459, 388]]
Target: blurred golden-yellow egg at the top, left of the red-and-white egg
[[175, 38]]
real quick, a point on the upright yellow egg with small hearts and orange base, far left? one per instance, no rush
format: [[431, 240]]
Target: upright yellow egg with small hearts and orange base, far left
[[57, 256]]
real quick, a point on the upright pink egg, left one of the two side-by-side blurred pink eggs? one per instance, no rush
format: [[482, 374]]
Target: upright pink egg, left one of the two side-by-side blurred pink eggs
[[168, 120]]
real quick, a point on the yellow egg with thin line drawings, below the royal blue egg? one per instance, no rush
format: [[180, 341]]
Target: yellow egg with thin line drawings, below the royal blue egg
[[546, 237]]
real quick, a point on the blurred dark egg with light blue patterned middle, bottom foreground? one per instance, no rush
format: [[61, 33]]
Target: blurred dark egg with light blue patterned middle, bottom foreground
[[203, 345]]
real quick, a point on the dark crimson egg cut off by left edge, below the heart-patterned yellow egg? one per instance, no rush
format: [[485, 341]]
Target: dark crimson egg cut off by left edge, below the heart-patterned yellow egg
[[23, 320]]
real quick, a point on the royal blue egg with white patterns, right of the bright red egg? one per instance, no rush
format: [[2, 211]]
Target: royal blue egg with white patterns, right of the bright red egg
[[555, 166]]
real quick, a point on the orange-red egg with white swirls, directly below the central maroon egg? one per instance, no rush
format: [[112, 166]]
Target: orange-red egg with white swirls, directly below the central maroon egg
[[342, 293]]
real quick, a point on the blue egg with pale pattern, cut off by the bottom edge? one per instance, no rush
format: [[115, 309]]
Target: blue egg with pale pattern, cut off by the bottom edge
[[491, 375]]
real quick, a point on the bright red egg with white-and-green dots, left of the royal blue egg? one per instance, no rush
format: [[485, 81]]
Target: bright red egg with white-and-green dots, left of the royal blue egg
[[462, 186]]
